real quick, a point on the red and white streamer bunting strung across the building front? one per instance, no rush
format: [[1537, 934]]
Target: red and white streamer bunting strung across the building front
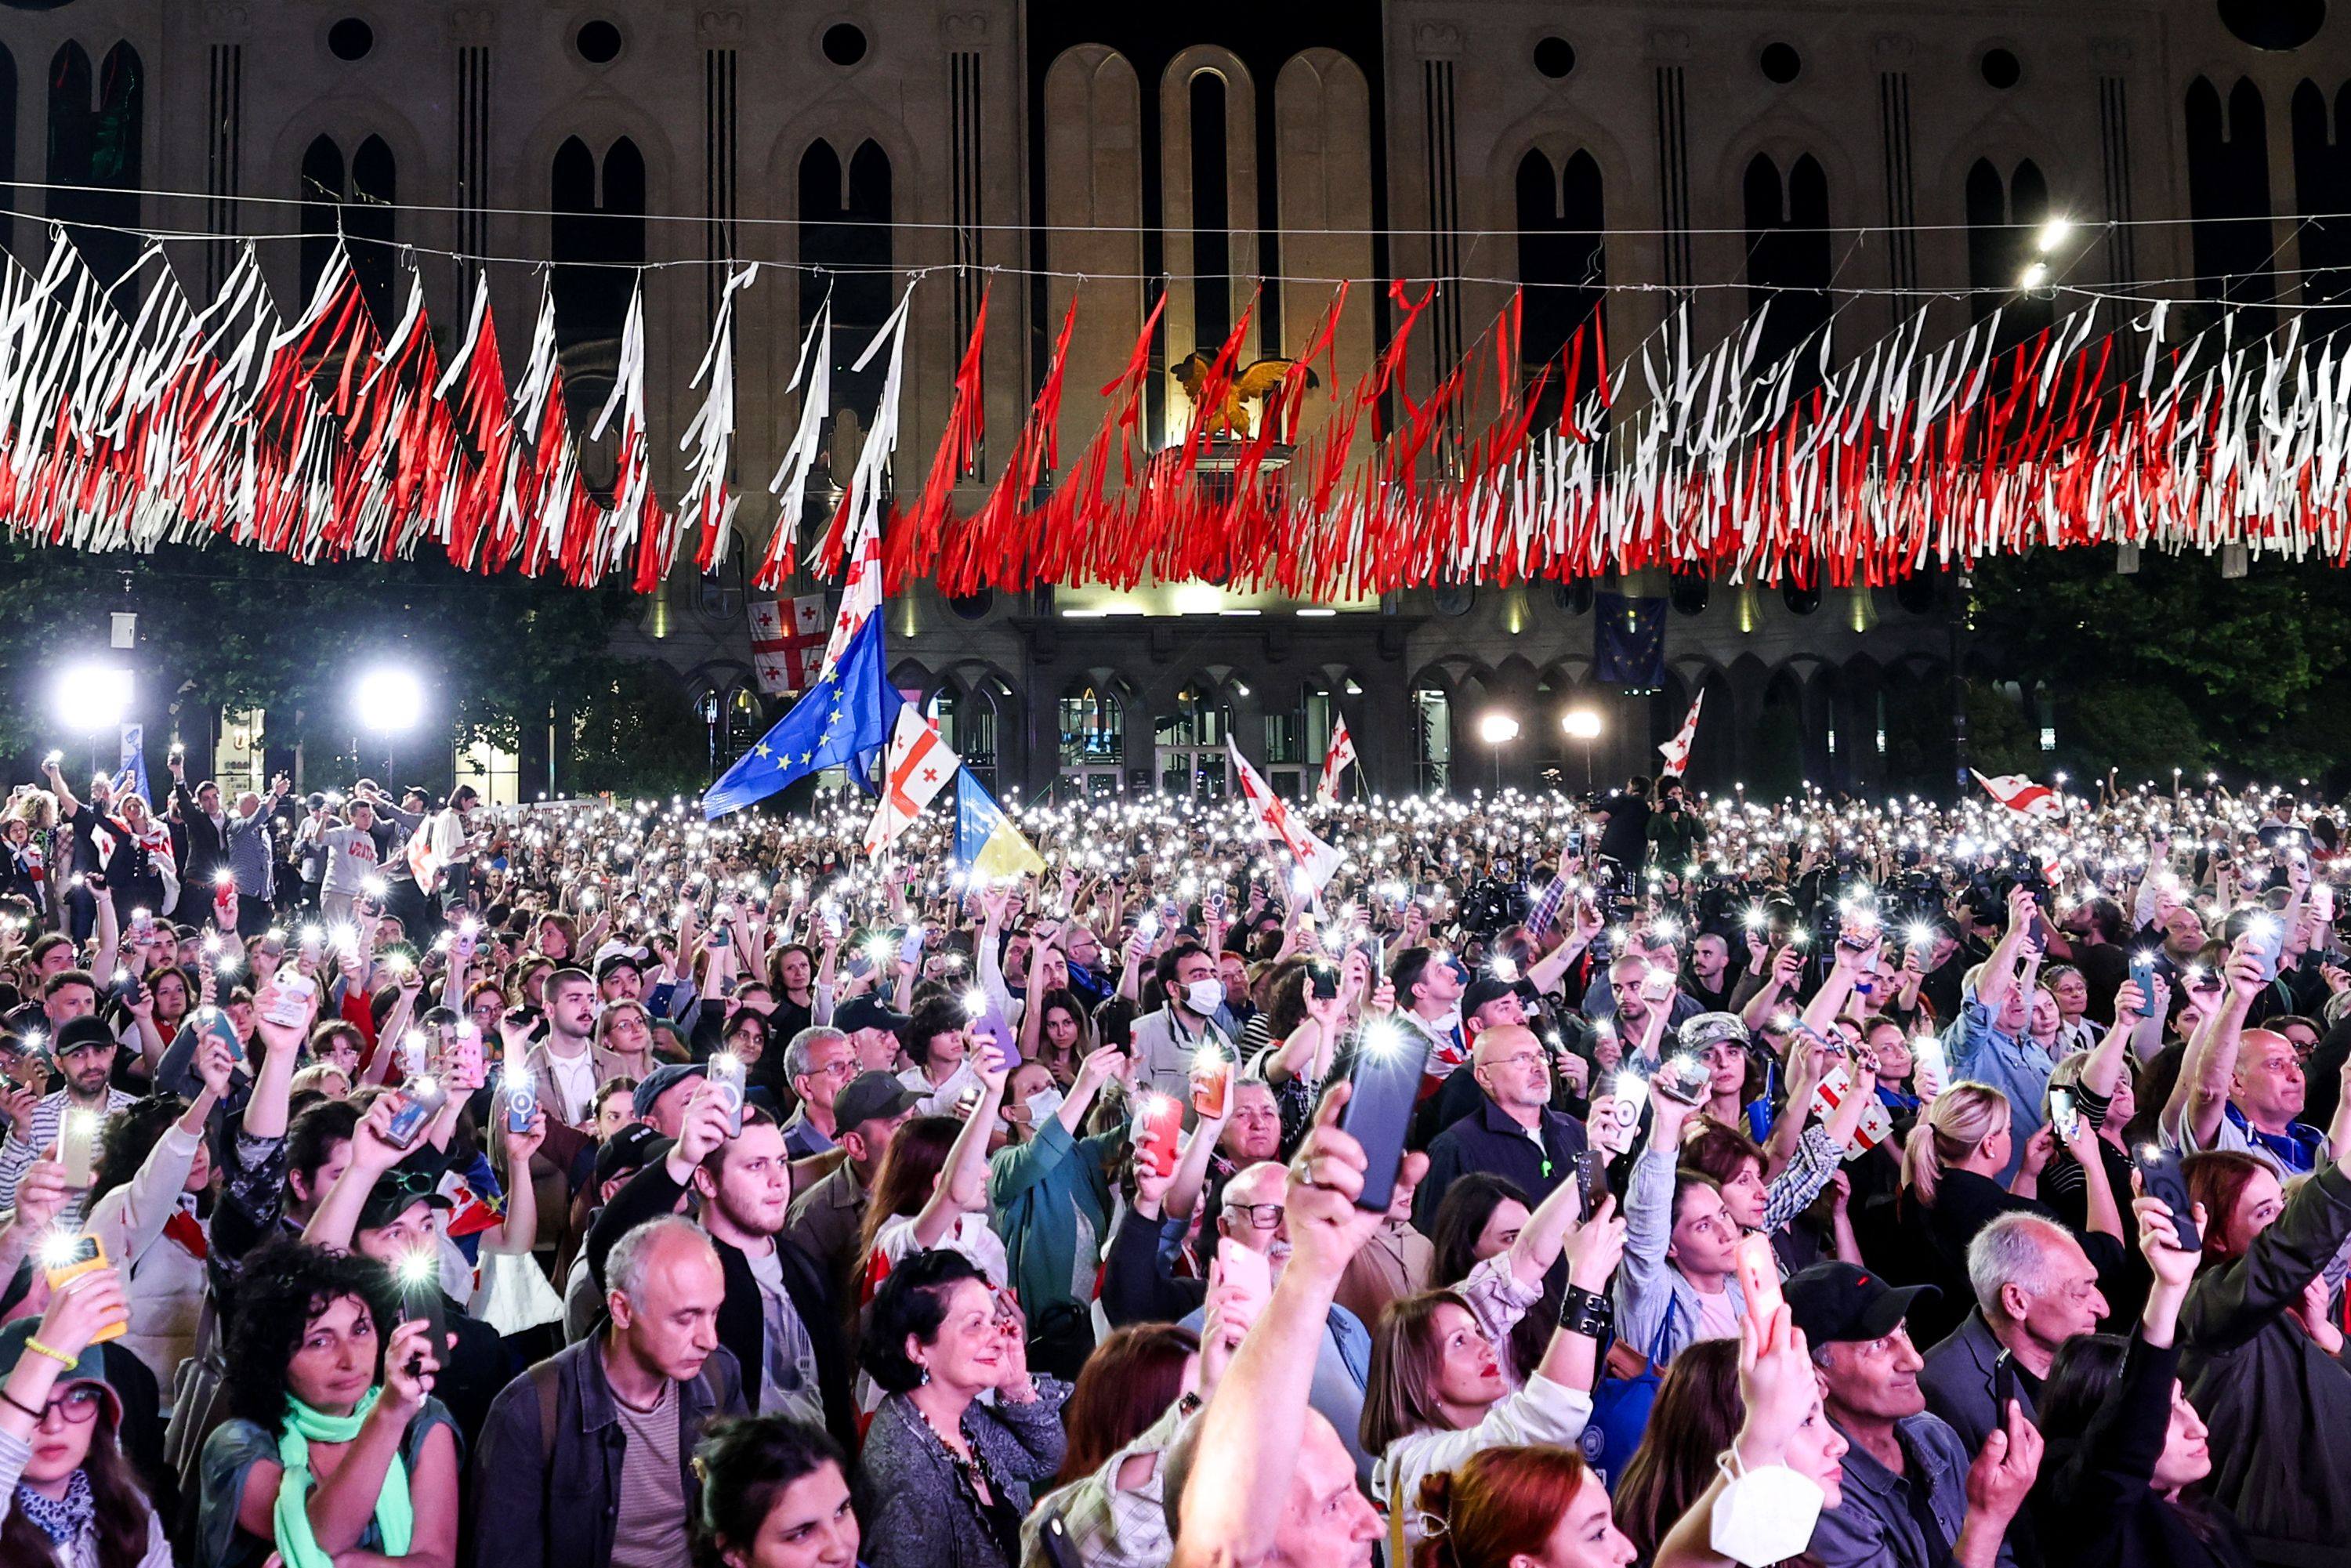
[[323, 438]]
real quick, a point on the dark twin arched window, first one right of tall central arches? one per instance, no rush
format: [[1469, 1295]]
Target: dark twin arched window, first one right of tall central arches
[[1565, 272]]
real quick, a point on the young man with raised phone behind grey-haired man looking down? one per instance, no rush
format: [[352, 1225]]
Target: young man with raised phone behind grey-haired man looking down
[[779, 1320]]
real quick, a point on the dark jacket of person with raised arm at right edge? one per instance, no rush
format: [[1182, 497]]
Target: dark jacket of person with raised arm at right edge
[[2272, 1398]]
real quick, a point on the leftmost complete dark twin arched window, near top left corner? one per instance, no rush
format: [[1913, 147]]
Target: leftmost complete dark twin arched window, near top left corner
[[95, 154]]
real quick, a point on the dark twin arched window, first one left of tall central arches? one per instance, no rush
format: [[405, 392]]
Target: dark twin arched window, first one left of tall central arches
[[845, 225]]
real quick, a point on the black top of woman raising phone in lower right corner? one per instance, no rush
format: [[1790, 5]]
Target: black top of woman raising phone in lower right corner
[[2096, 1506]]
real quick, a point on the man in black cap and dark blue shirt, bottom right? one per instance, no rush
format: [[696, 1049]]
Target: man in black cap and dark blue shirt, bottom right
[[1913, 1494]]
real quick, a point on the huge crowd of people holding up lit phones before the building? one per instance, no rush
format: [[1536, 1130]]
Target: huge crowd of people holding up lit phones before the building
[[1562, 1184]]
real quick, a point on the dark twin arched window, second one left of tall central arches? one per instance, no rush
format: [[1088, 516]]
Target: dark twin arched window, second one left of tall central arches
[[598, 241]]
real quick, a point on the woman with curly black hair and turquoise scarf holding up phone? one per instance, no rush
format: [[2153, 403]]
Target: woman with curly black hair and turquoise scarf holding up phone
[[335, 1442]]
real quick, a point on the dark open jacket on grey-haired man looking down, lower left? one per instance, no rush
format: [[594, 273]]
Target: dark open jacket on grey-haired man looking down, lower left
[[556, 1499]]
